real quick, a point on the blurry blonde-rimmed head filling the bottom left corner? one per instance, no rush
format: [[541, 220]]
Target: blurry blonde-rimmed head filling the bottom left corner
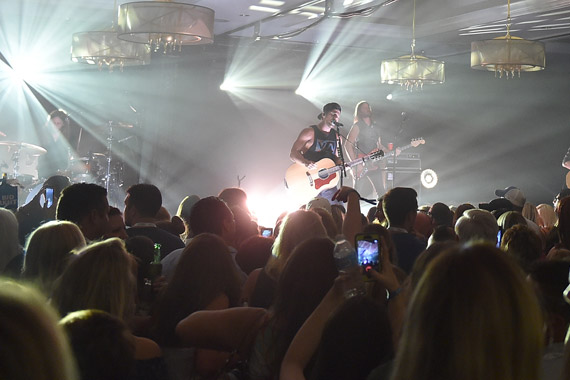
[[33, 345]]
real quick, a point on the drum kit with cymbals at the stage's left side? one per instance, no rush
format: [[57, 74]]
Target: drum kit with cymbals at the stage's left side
[[19, 160]]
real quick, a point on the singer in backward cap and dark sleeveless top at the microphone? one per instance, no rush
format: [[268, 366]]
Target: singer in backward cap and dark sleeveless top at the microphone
[[318, 141]]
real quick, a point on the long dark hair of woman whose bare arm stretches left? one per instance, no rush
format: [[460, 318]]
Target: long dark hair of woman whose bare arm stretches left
[[306, 278]]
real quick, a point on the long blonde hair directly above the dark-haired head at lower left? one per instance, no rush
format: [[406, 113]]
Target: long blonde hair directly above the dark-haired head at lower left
[[101, 277]]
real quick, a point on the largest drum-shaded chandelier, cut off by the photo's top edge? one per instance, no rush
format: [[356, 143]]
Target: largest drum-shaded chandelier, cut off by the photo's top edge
[[165, 25]]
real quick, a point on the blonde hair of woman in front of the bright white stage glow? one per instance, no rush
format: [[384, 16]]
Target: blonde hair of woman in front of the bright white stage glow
[[297, 227]]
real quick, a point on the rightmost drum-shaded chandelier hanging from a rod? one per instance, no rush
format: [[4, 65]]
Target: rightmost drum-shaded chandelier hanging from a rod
[[508, 54]]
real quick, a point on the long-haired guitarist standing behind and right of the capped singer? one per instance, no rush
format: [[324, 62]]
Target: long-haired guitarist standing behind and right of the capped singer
[[365, 137]]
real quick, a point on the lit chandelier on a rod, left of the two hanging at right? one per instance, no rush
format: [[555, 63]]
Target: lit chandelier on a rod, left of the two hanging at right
[[412, 71]]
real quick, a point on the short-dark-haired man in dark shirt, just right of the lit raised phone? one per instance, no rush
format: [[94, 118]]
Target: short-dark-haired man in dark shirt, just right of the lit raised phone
[[400, 207]]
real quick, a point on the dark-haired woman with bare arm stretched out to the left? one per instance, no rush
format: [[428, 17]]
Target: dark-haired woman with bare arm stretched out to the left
[[264, 336]]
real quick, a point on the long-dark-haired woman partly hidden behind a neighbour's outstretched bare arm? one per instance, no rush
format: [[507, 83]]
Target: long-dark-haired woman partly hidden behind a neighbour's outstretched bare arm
[[205, 278]]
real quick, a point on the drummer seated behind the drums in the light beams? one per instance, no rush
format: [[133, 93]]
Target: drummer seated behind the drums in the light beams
[[59, 144]]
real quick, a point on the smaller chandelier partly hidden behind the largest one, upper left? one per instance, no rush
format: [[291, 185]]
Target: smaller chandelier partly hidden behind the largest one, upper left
[[103, 48]]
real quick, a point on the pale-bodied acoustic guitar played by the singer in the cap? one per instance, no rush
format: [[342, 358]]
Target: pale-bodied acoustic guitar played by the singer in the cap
[[311, 182]]
